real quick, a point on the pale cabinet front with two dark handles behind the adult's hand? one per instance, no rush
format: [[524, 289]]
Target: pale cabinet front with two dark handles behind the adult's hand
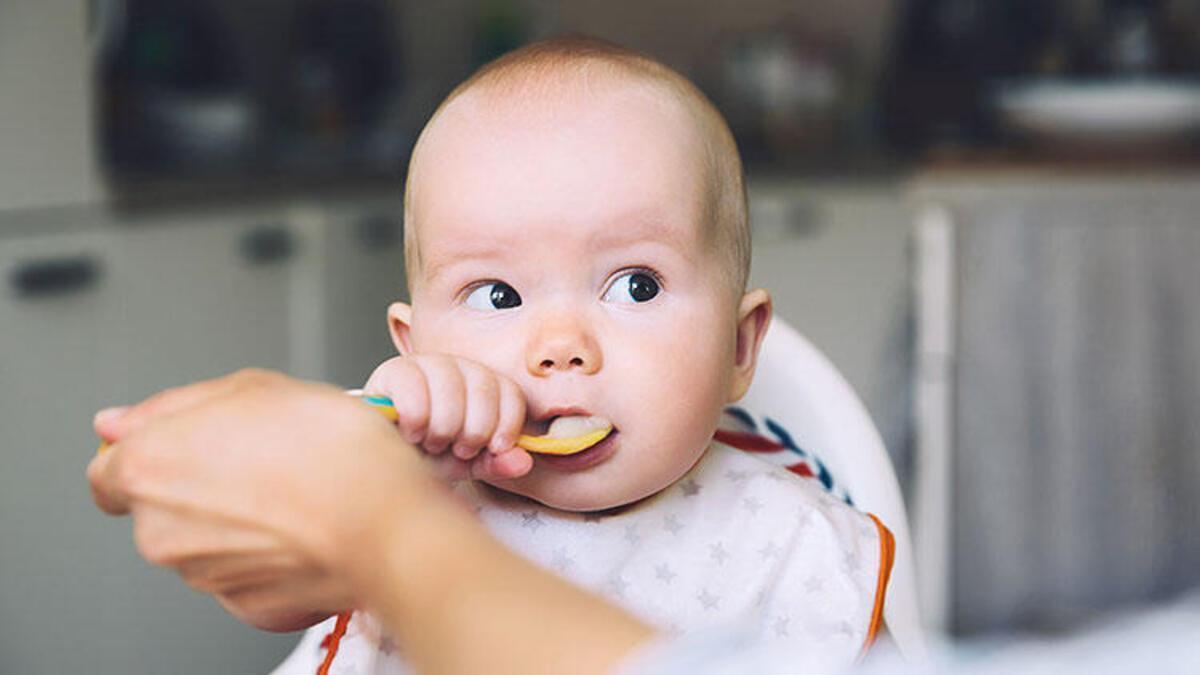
[[103, 316]]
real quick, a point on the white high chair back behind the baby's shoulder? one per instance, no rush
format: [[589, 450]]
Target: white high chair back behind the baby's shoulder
[[800, 389]]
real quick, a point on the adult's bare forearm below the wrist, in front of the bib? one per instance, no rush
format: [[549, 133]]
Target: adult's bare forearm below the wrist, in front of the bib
[[460, 602]]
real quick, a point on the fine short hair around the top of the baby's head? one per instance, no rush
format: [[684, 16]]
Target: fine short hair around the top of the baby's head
[[574, 57]]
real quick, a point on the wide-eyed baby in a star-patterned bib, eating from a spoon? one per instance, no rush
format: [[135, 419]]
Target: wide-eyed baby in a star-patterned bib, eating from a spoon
[[578, 246]]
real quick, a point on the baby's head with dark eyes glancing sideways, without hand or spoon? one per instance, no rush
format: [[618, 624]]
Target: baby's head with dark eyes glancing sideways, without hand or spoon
[[577, 220]]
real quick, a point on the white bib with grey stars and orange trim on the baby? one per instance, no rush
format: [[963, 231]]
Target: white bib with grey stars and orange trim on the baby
[[737, 541]]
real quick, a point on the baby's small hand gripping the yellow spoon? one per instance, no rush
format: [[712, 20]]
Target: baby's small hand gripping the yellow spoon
[[453, 404]]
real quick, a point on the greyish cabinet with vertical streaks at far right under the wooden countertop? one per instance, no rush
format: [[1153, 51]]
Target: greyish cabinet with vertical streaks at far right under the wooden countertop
[[1059, 389]]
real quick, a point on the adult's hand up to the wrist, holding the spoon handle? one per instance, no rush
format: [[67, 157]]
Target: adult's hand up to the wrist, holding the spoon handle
[[259, 489]]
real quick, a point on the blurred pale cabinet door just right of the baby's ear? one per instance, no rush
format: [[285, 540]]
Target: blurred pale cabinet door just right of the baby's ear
[[835, 258]]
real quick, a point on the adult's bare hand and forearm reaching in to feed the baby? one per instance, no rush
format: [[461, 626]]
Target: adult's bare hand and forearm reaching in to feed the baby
[[291, 501]]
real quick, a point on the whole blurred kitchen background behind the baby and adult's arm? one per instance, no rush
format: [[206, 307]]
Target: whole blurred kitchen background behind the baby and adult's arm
[[986, 212]]
